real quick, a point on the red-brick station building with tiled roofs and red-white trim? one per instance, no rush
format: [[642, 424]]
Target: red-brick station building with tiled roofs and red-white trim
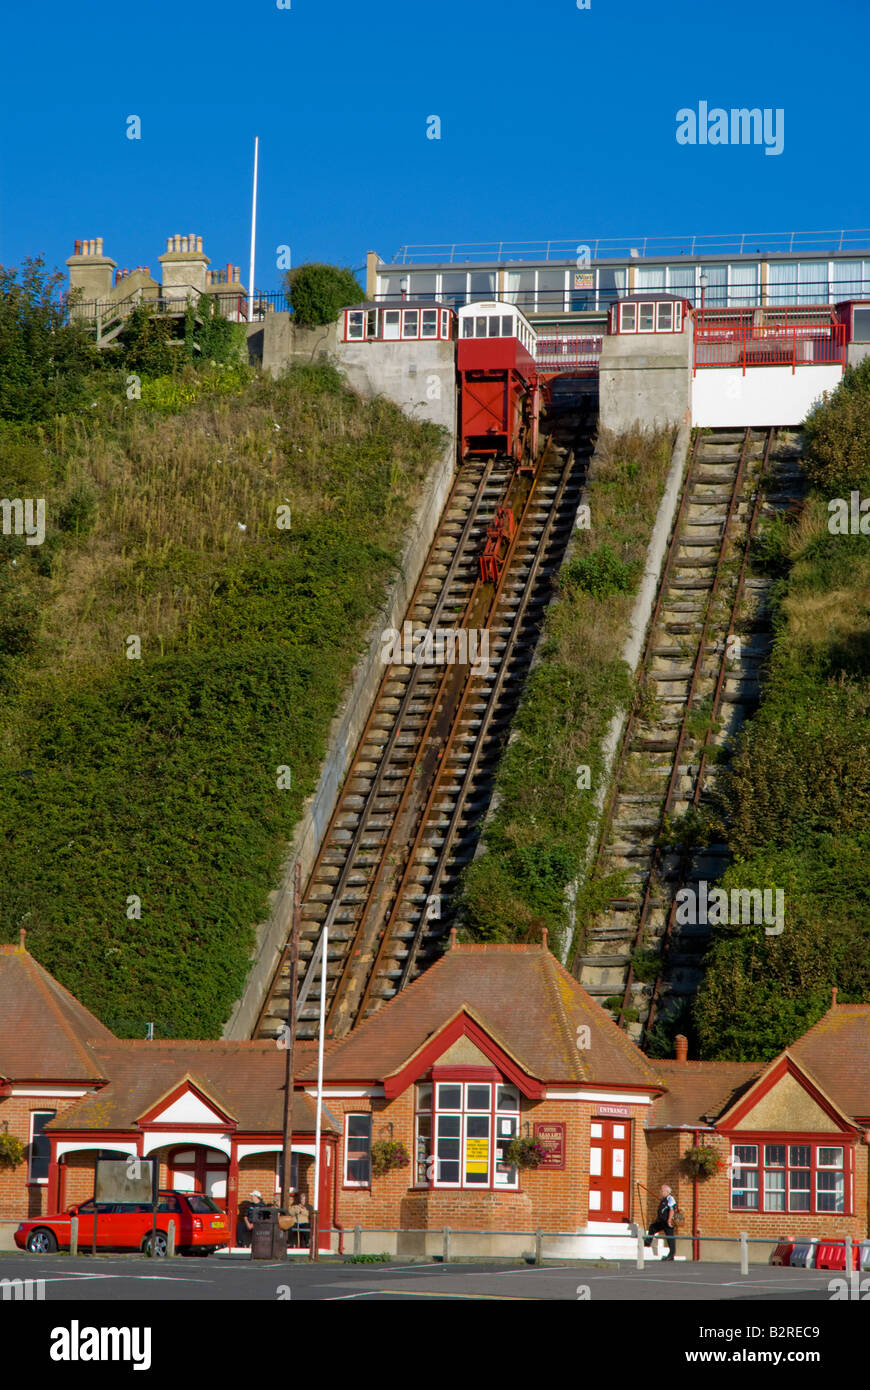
[[491, 1043]]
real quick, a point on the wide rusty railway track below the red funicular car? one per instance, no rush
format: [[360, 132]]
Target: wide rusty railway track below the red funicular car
[[409, 814]]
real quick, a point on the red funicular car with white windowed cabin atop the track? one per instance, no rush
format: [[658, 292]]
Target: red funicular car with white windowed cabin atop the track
[[498, 382]]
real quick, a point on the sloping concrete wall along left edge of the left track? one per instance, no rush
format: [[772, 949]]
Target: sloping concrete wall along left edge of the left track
[[344, 737]]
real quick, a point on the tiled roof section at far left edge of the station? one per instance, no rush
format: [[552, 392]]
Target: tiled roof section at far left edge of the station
[[45, 1035]]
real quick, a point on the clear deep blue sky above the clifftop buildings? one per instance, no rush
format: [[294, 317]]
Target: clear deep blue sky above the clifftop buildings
[[557, 123]]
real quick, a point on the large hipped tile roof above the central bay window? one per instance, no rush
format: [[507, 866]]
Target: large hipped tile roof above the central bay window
[[522, 997]]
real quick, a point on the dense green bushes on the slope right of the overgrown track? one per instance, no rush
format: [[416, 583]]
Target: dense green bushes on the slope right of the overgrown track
[[797, 806]]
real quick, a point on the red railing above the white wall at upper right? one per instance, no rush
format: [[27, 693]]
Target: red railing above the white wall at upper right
[[801, 345]]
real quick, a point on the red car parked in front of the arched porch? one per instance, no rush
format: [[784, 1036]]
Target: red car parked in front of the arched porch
[[201, 1227]]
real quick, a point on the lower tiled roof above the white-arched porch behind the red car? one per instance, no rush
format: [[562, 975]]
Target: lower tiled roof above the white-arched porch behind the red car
[[244, 1079]]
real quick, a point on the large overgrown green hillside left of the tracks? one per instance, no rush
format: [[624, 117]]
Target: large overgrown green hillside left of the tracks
[[216, 546]]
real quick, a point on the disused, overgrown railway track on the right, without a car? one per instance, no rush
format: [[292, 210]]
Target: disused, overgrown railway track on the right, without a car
[[700, 680]]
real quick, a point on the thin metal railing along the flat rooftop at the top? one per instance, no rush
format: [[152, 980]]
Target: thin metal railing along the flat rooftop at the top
[[641, 248]]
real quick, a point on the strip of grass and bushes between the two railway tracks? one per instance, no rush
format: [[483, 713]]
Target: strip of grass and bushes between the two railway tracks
[[537, 839]]
